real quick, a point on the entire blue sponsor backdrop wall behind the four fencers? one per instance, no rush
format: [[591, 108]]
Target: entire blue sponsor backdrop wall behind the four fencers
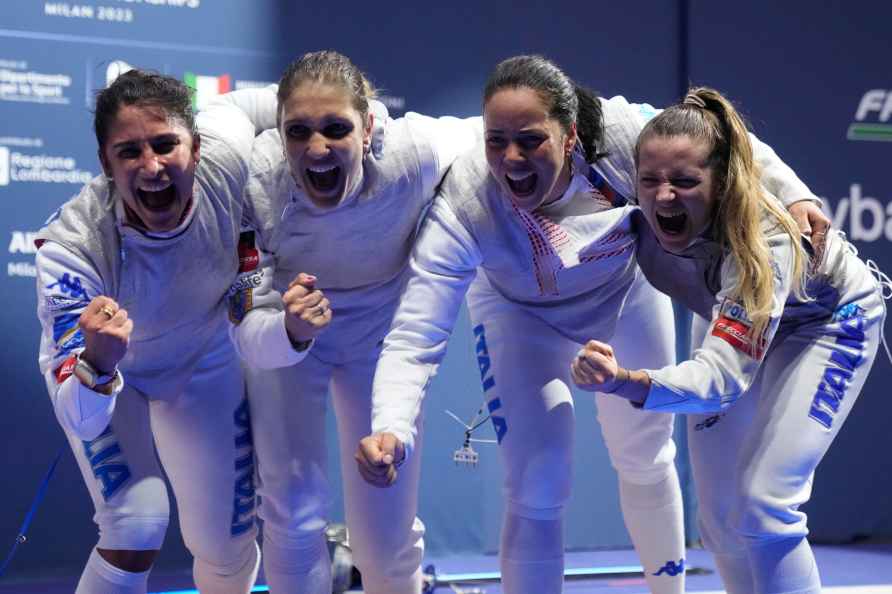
[[434, 59]]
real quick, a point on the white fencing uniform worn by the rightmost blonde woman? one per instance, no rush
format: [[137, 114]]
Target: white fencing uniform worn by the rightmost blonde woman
[[762, 413]]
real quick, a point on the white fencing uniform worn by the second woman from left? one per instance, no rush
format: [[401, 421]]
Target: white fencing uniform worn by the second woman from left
[[358, 250]]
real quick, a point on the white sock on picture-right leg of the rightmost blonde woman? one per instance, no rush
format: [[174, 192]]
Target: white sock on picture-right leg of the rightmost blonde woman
[[784, 567]]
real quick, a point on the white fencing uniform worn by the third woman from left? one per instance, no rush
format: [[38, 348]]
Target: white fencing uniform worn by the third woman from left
[[539, 285]]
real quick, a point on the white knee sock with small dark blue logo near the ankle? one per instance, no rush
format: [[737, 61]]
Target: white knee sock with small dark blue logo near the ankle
[[654, 516]]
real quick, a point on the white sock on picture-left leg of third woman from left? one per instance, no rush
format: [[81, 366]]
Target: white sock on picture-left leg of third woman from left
[[532, 555]]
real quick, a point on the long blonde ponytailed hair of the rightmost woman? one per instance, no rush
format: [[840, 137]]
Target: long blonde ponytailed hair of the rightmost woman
[[707, 116]]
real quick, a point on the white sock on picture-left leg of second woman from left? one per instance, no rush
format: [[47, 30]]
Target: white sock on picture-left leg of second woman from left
[[296, 566]]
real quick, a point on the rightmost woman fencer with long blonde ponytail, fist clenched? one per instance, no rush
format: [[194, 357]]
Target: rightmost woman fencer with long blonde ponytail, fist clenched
[[793, 333]]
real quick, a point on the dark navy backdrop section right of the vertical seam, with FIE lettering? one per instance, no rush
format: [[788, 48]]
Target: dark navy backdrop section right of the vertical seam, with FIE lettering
[[814, 80]]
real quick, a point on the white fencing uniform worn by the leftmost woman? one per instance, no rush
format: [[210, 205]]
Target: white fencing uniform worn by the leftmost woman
[[183, 390]]
